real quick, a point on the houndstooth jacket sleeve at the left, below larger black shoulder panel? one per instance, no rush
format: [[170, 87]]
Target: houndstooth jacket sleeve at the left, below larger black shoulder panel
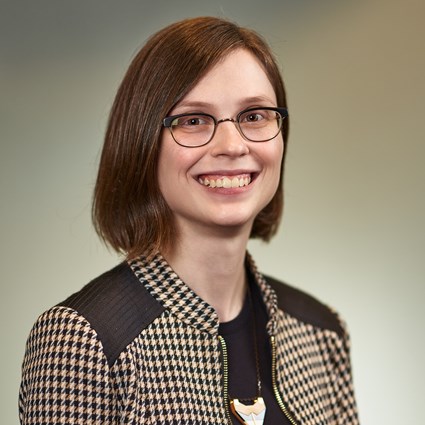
[[65, 374]]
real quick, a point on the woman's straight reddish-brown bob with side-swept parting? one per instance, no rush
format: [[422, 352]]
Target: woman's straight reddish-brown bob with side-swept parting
[[129, 212]]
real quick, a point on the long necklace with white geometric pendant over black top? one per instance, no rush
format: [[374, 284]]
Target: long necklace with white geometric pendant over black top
[[251, 411]]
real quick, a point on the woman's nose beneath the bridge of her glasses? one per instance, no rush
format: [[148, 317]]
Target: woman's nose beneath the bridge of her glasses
[[228, 140]]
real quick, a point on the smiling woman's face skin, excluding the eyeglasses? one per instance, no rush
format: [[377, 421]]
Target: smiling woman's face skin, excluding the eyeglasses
[[186, 175]]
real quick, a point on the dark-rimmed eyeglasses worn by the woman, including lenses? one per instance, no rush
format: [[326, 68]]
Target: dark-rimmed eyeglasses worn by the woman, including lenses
[[254, 124]]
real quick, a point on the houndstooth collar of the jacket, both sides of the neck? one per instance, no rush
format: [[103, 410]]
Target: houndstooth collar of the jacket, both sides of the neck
[[169, 290]]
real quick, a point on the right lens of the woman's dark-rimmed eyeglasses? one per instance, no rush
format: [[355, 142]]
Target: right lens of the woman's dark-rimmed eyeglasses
[[260, 125]]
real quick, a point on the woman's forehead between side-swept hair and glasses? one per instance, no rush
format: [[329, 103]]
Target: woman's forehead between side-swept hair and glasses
[[234, 79]]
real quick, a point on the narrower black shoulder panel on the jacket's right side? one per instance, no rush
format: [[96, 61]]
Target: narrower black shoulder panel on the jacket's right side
[[305, 307]]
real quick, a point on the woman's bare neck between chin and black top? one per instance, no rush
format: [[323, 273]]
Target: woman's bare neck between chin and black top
[[213, 266]]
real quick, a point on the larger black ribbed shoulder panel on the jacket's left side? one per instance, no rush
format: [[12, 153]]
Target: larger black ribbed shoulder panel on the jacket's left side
[[117, 306]]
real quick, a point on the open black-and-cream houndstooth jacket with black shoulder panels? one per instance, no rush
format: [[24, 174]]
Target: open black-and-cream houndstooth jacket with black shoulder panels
[[137, 346]]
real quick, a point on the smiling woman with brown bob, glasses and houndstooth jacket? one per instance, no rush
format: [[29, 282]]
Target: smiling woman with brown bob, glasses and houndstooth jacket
[[187, 331]]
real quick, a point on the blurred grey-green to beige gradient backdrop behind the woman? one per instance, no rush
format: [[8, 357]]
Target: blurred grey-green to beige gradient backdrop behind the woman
[[353, 232]]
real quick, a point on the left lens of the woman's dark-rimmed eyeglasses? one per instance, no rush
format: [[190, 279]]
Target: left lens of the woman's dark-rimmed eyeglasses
[[192, 129]]
